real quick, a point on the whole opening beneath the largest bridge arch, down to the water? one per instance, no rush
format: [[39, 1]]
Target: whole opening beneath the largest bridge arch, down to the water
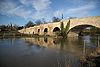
[[85, 30]]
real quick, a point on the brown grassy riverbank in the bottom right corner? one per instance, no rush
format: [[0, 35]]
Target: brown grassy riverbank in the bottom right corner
[[91, 60]]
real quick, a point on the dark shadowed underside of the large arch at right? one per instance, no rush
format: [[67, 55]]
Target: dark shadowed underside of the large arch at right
[[79, 28]]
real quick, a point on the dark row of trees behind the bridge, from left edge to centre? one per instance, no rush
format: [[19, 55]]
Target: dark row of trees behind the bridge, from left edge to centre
[[11, 27]]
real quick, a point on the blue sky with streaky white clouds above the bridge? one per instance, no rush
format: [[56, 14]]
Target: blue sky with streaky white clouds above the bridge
[[21, 11]]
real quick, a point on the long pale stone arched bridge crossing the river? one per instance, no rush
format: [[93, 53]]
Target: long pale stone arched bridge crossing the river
[[51, 28]]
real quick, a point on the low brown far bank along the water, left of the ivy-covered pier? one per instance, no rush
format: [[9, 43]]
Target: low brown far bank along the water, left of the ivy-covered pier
[[15, 34]]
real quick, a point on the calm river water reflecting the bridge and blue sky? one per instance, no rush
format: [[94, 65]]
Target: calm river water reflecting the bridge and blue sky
[[46, 52]]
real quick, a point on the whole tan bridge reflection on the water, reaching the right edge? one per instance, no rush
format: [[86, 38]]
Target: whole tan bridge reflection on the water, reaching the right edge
[[77, 46]]
